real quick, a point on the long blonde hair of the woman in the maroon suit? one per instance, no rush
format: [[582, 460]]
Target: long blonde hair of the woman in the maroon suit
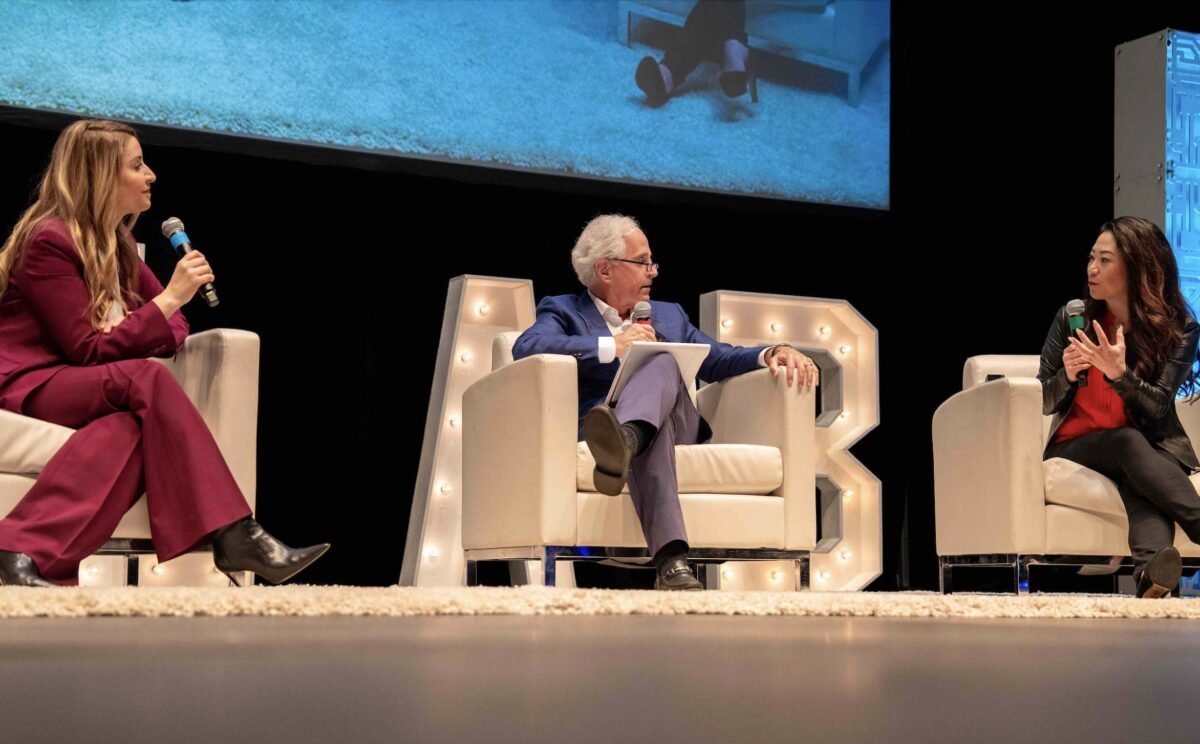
[[81, 188]]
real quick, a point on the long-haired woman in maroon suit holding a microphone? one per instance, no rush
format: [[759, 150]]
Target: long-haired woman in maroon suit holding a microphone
[[80, 316]]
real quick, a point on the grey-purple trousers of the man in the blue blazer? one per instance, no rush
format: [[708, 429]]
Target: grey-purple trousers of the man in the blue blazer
[[657, 394]]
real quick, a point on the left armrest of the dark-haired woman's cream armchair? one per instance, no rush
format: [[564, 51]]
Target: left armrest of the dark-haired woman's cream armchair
[[989, 490]]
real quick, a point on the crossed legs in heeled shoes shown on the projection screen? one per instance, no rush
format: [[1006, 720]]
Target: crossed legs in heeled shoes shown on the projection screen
[[711, 26]]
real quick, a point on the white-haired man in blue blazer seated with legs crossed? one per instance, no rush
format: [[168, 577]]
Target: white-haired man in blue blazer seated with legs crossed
[[635, 441]]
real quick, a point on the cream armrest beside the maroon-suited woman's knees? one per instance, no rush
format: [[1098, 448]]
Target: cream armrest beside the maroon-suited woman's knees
[[219, 371]]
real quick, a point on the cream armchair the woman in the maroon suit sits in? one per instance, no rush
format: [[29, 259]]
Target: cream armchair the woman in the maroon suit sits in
[[217, 369]]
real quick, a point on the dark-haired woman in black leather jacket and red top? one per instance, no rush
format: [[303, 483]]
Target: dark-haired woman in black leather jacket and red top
[[1113, 389]]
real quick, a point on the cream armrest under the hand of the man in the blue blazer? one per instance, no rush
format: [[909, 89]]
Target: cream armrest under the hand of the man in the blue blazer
[[757, 409]]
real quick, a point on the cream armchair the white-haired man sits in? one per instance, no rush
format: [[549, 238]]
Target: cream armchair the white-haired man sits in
[[529, 491]]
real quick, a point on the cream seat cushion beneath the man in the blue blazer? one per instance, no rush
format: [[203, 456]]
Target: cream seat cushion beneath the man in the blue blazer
[[709, 469]]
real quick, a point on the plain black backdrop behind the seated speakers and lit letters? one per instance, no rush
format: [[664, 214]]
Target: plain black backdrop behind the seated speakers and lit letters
[[1001, 172]]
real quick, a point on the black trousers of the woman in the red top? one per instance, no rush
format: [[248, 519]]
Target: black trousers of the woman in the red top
[[1153, 484]]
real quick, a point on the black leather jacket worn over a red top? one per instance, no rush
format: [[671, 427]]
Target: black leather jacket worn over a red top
[[1149, 405]]
